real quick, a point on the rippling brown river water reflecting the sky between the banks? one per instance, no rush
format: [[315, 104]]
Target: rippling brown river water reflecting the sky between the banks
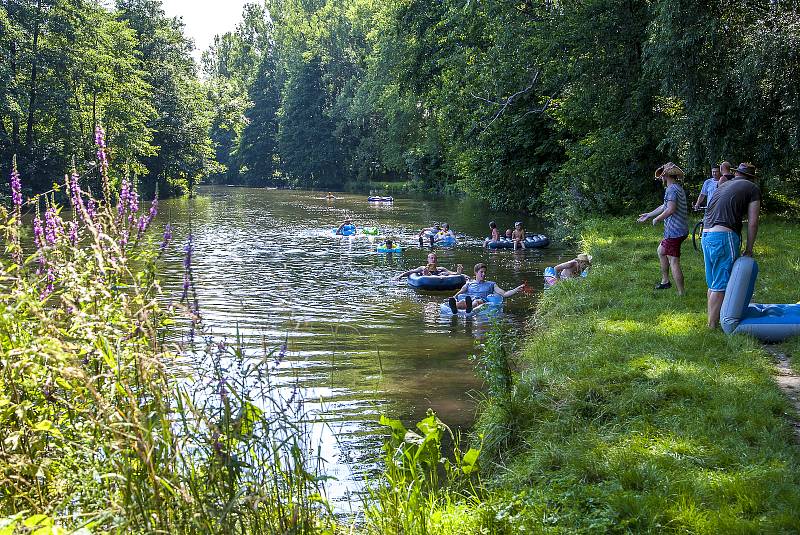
[[359, 344]]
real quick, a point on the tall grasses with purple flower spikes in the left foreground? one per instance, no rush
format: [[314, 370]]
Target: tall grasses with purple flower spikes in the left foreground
[[104, 427]]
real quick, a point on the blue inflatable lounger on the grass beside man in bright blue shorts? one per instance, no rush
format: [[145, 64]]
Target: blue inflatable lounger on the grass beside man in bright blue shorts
[[768, 323]]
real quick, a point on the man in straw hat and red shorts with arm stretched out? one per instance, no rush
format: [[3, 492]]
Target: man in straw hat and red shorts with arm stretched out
[[676, 225]]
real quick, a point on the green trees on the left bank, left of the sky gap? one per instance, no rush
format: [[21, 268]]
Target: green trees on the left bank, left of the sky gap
[[68, 65]]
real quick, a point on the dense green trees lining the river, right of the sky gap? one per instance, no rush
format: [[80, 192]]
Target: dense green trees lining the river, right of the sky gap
[[557, 106]]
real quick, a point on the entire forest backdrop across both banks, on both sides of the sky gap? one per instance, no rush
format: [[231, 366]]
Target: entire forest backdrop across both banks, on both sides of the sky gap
[[559, 108]]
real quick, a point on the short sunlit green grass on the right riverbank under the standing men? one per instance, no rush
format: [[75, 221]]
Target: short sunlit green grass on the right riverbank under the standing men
[[630, 415]]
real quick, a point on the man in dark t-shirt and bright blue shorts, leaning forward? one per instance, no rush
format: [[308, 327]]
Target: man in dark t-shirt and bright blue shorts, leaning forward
[[722, 234]]
